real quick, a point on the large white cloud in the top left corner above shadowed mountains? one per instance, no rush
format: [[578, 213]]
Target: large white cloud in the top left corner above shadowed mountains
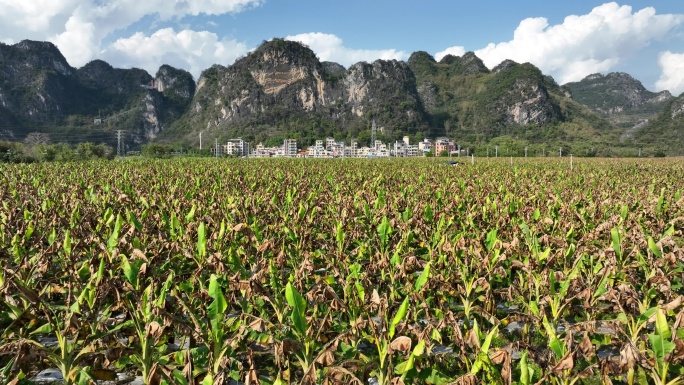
[[78, 27]]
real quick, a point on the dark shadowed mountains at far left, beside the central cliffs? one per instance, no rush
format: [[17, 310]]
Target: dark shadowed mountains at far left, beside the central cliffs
[[40, 91]]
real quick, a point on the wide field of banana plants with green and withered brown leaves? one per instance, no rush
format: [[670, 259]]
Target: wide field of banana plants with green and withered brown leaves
[[366, 272]]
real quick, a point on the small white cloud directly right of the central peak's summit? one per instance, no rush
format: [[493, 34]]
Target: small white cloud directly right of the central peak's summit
[[329, 47]]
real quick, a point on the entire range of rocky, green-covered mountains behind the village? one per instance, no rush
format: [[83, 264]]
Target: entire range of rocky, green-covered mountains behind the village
[[281, 89]]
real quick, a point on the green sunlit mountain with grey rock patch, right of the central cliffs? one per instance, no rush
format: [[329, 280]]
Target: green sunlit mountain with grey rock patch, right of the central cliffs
[[513, 104]]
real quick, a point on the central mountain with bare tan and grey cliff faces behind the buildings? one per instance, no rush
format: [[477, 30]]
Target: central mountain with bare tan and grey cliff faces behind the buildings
[[283, 85]]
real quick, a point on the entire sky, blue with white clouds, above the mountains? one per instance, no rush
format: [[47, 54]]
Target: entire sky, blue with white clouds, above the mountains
[[566, 39]]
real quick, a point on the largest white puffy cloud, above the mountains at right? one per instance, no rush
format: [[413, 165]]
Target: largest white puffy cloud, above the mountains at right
[[585, 44]]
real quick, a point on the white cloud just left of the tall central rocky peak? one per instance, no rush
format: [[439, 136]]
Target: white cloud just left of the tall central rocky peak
[[191, 50]]
